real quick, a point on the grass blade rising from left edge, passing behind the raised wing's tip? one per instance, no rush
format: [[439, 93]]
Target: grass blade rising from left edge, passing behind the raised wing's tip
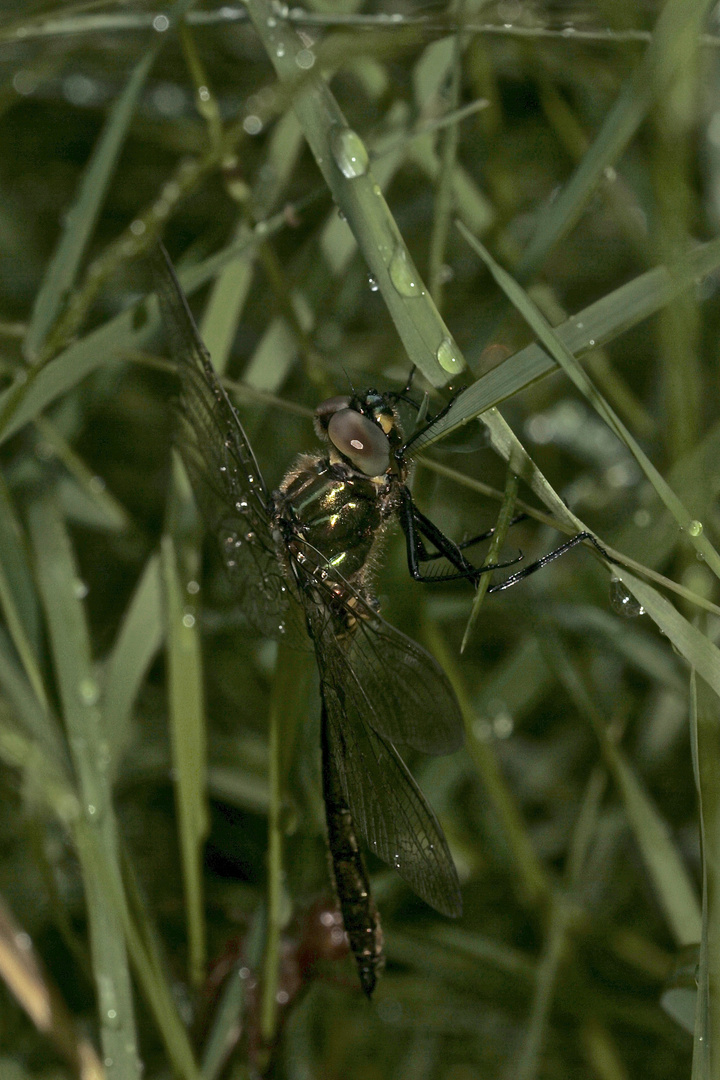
[[35, 390]]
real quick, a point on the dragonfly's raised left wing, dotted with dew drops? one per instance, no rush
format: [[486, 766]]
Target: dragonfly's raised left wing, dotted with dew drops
[[222, 467]]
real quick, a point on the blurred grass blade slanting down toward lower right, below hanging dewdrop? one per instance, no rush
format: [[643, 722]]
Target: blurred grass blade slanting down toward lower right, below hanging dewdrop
[[674, 887]]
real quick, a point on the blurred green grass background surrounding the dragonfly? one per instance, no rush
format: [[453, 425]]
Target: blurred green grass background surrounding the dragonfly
[[581, 146]]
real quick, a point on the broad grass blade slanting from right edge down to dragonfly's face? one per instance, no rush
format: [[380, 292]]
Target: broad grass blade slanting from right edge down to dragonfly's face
[[597, 325]]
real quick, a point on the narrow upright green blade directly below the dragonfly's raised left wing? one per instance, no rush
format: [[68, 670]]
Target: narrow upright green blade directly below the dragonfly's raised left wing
[[187, 725]]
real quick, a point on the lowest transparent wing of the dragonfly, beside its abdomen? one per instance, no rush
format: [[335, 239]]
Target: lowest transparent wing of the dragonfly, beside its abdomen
[[388, 807]]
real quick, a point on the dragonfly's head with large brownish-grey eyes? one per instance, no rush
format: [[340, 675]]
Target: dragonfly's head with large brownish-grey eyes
[[364, 429]]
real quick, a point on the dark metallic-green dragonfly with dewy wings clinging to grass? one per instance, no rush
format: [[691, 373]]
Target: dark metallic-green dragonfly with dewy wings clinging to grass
[[303, 559]]
